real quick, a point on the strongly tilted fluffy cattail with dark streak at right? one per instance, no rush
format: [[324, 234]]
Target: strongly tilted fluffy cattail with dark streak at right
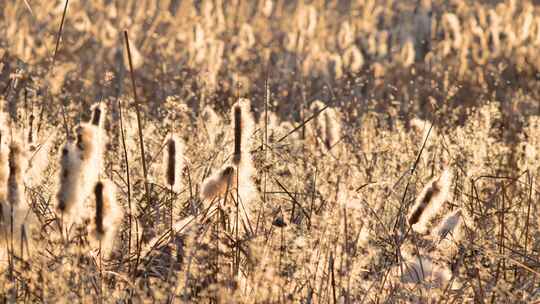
[[434, 194]]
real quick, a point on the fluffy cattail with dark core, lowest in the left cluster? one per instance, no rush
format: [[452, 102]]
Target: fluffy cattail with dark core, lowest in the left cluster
[[108, 214]]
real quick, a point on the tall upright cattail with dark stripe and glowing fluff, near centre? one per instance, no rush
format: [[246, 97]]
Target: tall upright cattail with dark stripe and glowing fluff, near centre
[[243, 129]]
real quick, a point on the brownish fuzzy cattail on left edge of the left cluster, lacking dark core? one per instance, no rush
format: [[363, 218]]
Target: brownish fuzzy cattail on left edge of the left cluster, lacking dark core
[[69, 196]]
